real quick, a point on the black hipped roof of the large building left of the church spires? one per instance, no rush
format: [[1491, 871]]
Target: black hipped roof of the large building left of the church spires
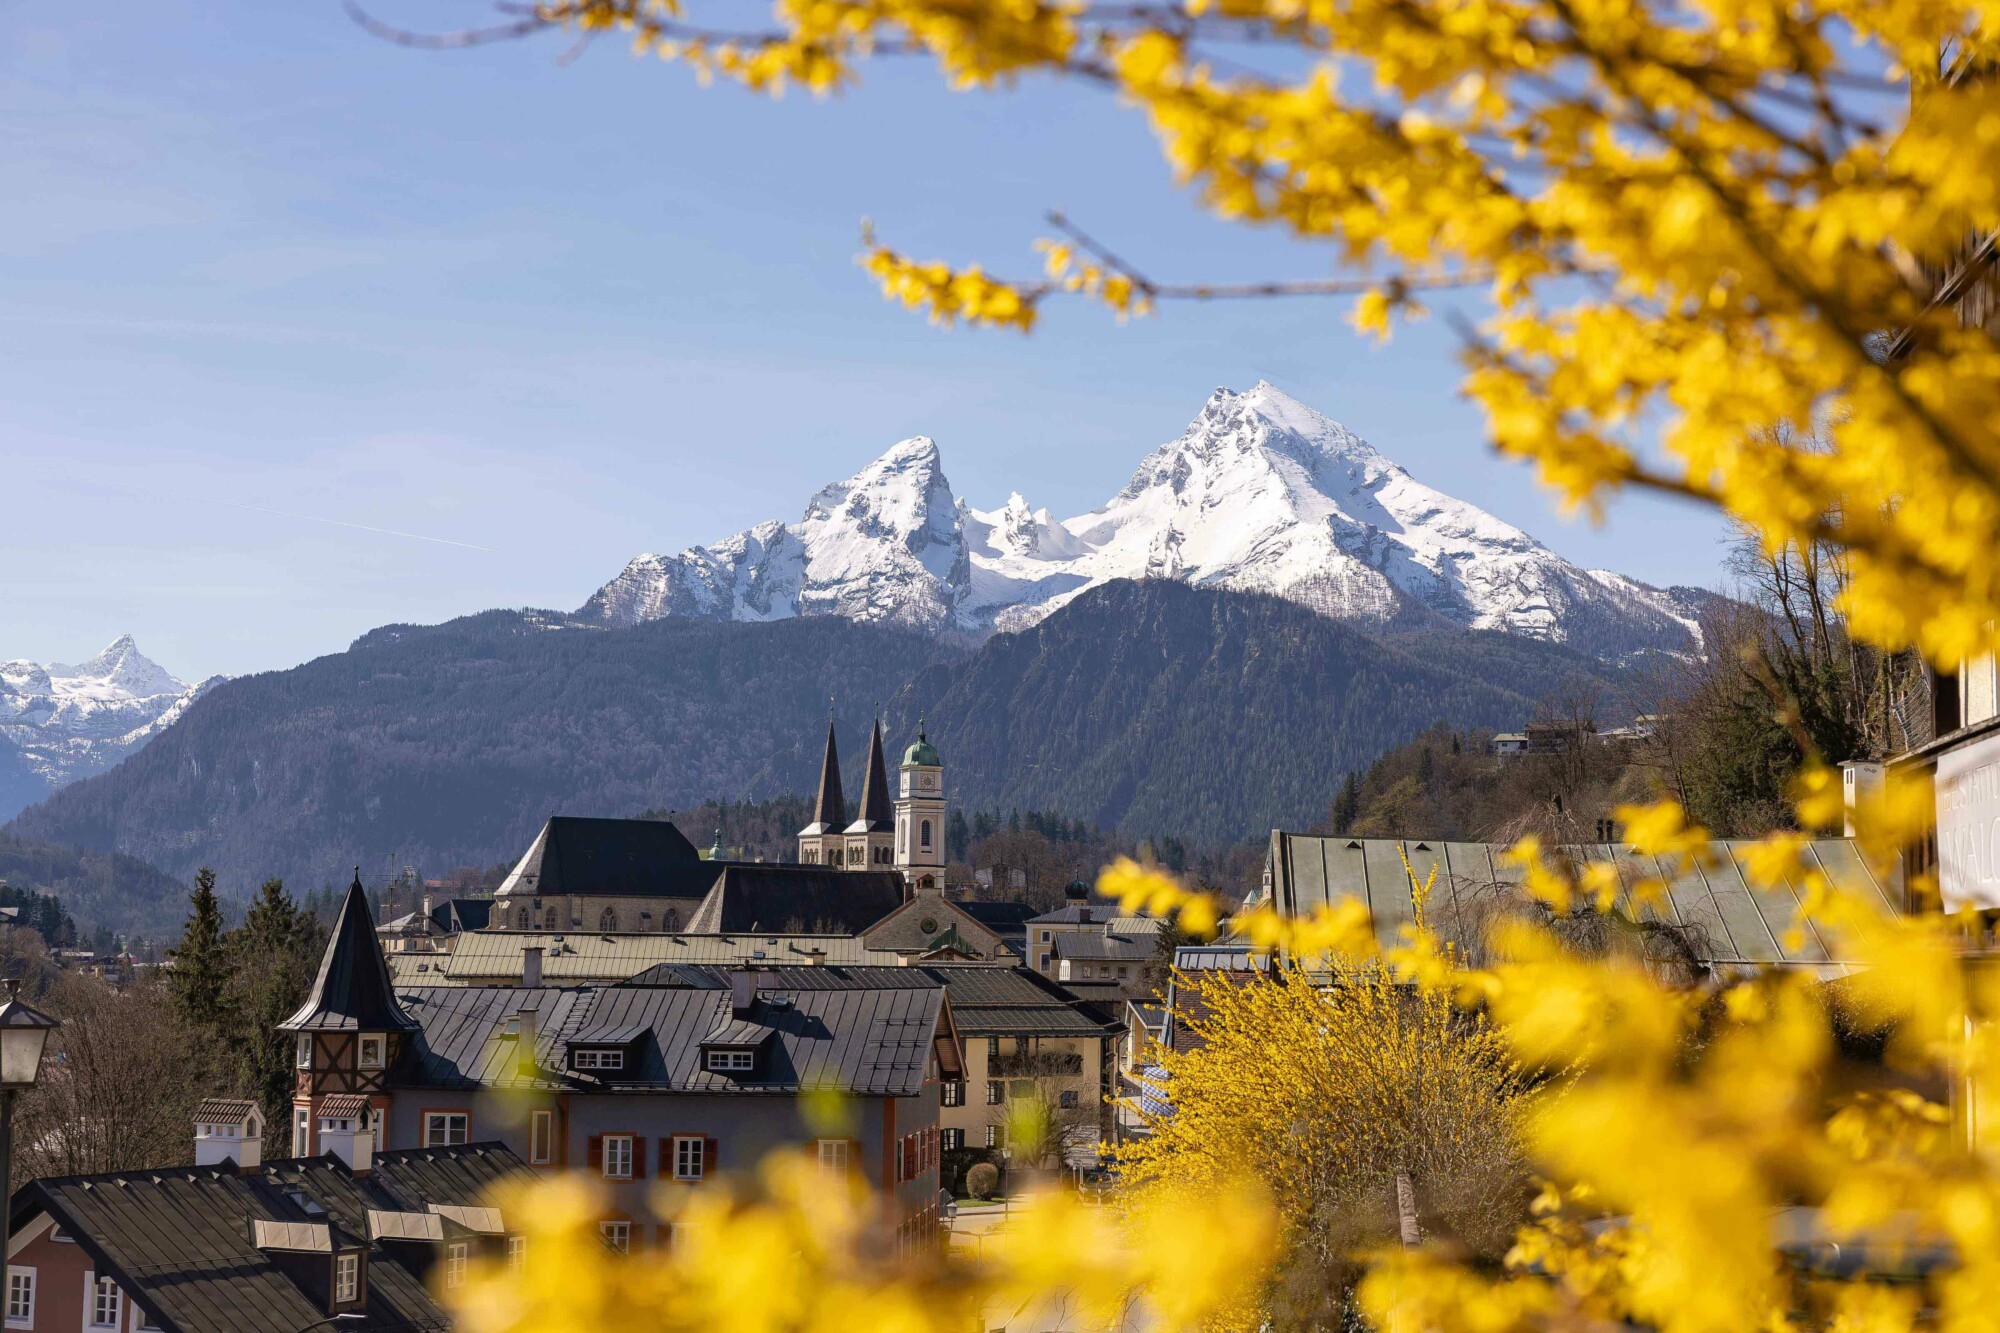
[[609, 858]]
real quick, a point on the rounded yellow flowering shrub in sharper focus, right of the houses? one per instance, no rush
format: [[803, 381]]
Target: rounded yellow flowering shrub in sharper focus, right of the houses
[[1325, 1088]]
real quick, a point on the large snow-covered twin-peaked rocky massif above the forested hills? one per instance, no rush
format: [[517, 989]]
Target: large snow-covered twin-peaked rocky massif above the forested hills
[[1259, 495]]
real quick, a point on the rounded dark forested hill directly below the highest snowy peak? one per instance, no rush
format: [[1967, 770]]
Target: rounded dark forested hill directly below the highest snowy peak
[[1213, 716]]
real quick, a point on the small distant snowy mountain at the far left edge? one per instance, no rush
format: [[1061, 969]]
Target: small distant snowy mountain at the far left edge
[[67, 722]]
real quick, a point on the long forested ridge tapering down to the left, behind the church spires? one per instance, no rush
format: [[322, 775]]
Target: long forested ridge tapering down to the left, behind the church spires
[[449, 746]]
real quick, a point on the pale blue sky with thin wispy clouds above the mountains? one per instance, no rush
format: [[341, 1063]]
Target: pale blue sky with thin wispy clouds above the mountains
[[265, 277]]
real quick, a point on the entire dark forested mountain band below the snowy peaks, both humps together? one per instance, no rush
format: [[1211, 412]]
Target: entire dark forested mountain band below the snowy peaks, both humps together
[[1147, 708]]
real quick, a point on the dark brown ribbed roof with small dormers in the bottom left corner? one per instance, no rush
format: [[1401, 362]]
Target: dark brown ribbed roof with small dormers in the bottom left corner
[[179, 1240]]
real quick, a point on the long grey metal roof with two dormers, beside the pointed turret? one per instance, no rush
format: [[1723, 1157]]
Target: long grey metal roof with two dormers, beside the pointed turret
[[857, 1030]]
